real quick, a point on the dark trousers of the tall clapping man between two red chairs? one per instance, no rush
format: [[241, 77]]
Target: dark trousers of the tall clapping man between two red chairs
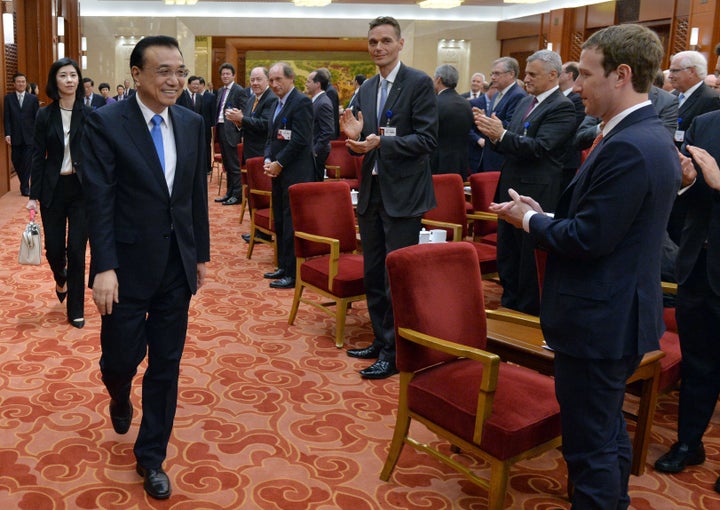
[[381, 234]]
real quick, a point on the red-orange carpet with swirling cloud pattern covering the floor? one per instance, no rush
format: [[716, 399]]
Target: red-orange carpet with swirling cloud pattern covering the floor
[[270, 416]]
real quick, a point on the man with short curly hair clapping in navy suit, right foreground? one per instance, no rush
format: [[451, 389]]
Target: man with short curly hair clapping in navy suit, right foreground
[[602, 302]]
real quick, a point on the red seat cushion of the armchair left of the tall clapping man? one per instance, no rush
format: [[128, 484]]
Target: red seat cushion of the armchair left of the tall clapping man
[[349, 280]]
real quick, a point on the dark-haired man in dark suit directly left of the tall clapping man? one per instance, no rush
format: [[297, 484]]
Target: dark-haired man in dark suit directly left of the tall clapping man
[[323, 129]]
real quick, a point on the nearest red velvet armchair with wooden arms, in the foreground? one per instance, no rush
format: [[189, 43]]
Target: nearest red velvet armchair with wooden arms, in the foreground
[[500, 412]]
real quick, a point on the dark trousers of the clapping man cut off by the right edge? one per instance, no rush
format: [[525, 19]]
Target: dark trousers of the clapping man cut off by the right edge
[[698, 319]]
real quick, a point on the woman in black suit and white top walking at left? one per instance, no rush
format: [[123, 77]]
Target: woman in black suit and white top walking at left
[[56, 185]]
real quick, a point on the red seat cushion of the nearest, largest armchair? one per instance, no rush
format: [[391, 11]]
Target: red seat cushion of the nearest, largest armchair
[[525, 411]]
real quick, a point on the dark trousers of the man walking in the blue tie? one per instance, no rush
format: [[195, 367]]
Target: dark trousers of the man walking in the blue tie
[[156, 326]]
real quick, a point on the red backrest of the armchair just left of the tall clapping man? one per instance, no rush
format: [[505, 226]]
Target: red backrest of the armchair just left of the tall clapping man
[[324, 209]]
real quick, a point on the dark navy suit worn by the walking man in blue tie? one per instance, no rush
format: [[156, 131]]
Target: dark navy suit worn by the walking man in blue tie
[[154, 240]]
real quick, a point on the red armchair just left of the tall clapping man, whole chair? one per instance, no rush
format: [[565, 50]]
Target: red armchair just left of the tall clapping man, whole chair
[[326, 249]]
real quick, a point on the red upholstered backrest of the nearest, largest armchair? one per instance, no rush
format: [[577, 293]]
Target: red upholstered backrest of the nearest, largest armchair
[[436, 289]]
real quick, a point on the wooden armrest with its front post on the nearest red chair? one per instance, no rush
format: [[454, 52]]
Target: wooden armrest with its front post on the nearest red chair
[[491, 369]]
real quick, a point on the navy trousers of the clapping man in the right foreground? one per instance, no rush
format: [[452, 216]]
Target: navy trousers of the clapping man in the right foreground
[[596, 445]]
